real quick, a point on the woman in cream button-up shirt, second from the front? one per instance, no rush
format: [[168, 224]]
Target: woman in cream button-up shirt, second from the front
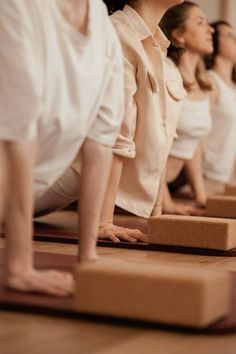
[[153, 95]]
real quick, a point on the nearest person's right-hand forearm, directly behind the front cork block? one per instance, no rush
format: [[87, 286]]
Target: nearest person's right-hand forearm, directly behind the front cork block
[[96, 162]]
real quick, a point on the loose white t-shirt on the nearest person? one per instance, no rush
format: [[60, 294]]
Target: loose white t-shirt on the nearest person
[[57, 84]]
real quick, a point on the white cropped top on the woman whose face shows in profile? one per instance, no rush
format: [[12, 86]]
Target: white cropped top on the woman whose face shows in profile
[[194, 123]]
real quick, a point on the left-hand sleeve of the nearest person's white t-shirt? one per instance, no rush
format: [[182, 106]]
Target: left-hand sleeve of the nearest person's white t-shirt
[[19, 91]]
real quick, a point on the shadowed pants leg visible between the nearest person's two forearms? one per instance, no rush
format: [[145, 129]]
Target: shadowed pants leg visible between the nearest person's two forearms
[[61, 194]]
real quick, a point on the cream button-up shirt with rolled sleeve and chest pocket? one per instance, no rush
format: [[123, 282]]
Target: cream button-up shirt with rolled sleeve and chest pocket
[[153, 94]]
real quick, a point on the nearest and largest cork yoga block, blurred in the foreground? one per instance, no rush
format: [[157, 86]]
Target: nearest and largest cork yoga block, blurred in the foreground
[[149, 292]]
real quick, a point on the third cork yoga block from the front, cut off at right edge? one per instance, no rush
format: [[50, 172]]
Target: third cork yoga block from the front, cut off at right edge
[[221, 207]]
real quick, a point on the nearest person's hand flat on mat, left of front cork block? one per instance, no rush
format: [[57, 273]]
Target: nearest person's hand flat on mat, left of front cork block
[[50, 282]]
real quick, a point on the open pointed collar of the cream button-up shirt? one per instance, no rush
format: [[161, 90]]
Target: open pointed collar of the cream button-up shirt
[[142, 29]]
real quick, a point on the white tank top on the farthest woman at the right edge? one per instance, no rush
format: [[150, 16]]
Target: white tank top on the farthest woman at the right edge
[[220, 151]]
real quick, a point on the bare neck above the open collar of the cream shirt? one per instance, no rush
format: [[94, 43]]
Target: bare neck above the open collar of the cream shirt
[[151, 14]]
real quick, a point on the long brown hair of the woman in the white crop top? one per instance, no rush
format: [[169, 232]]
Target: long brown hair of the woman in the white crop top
[[175, 18]]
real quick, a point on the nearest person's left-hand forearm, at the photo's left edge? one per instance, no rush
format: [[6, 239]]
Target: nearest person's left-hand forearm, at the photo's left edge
[[18, 206]]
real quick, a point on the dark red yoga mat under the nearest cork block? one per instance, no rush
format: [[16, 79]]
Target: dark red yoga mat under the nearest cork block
[[49, 305]]
